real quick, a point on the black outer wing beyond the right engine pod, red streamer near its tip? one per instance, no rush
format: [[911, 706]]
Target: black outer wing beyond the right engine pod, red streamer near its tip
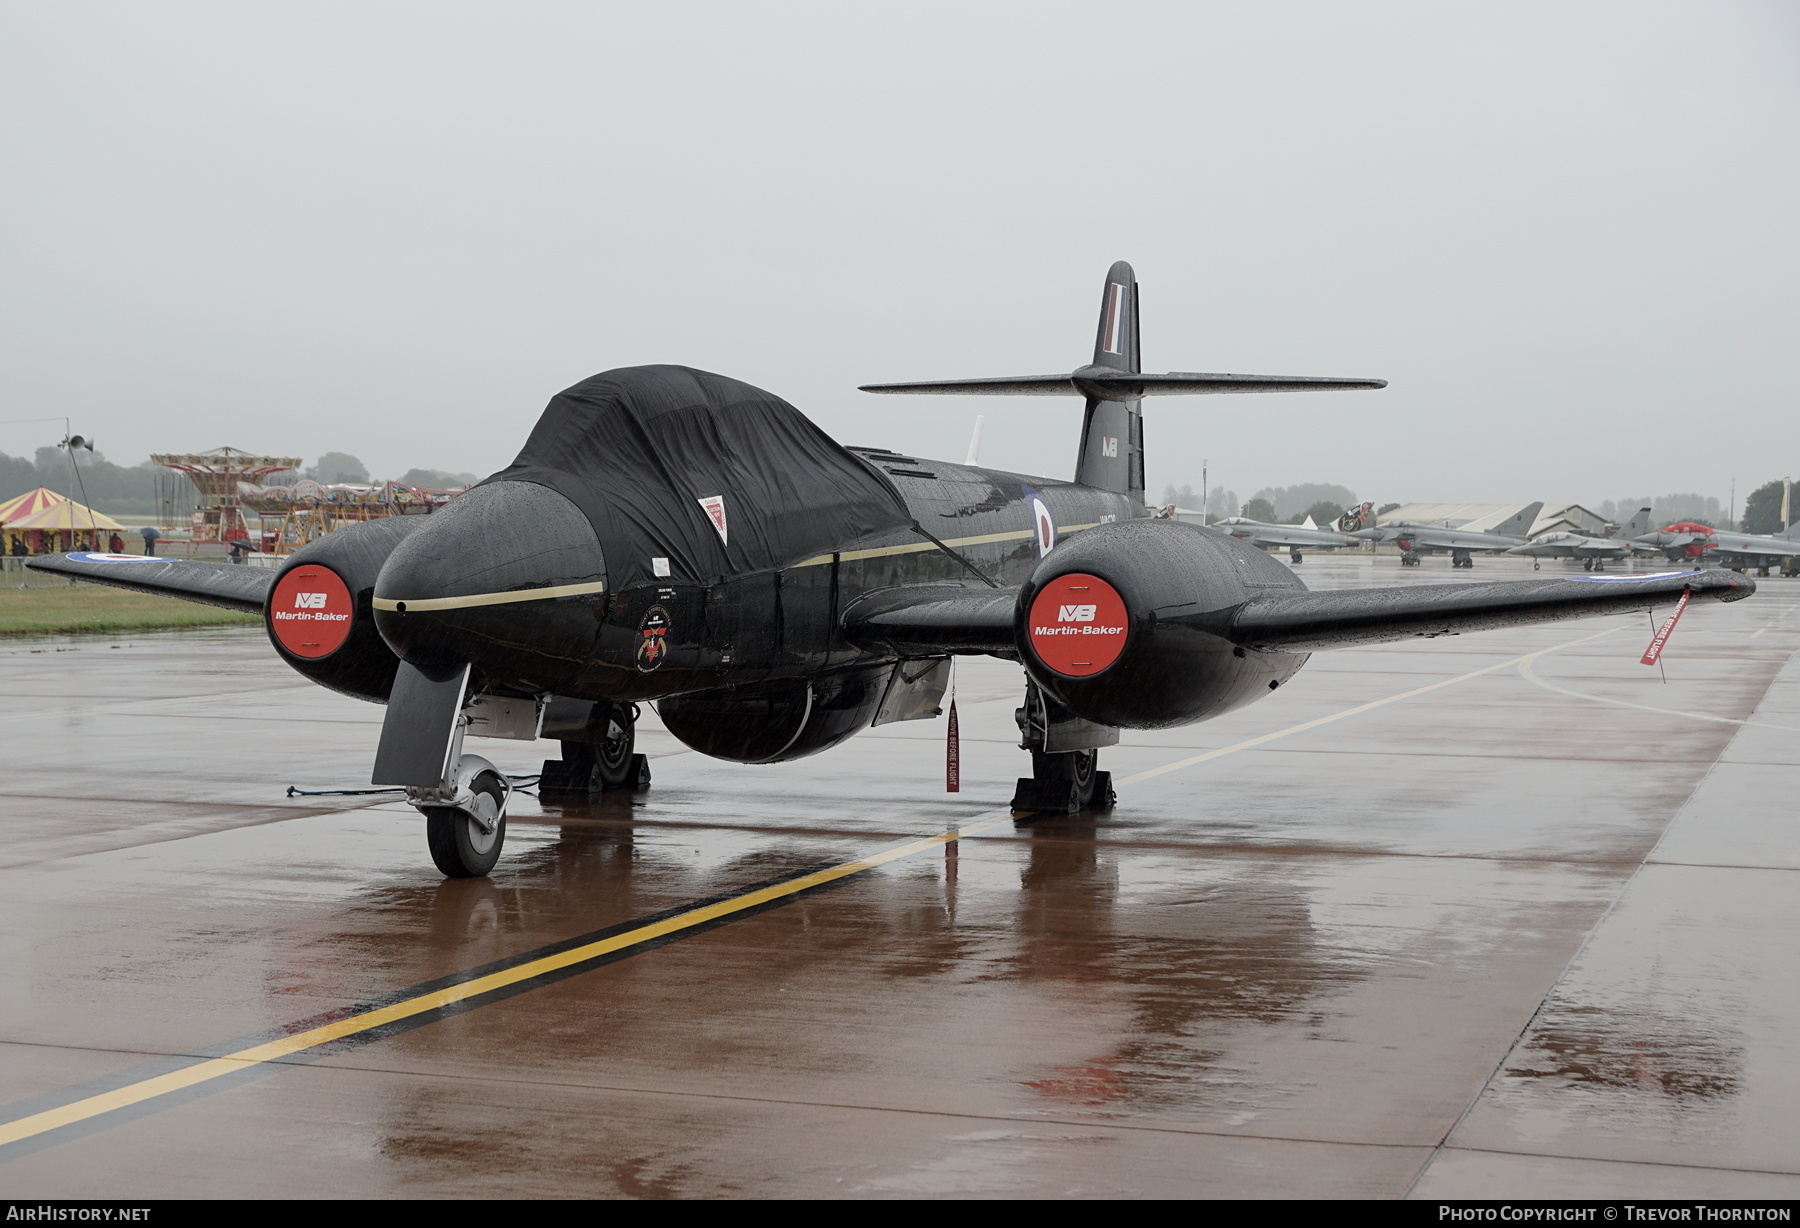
[[1304, 622]]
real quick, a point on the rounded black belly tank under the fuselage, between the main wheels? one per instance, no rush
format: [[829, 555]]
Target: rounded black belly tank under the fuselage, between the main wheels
[[778, 721]]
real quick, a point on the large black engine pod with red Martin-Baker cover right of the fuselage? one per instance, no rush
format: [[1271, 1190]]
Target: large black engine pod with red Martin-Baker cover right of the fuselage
[[1128, 624]]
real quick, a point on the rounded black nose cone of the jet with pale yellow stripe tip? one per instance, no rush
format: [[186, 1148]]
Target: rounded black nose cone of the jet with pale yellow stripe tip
[[508, 577]]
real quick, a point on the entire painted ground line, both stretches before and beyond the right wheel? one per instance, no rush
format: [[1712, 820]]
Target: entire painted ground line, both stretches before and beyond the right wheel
[[568, 959]]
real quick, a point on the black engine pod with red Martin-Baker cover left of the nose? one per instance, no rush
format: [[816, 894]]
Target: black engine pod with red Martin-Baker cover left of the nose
[[321, 615]]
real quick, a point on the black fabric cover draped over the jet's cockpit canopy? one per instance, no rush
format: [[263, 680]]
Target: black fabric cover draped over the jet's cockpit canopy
[[640, 451]]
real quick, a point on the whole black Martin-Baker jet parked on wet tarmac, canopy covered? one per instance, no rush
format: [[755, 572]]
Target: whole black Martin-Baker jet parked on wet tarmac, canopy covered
[[681, 539]]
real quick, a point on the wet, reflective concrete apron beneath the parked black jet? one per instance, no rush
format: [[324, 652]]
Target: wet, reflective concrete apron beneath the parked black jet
[[1525, 930]]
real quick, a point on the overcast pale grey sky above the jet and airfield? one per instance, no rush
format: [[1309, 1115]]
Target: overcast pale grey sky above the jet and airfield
[[1565, 233]]
